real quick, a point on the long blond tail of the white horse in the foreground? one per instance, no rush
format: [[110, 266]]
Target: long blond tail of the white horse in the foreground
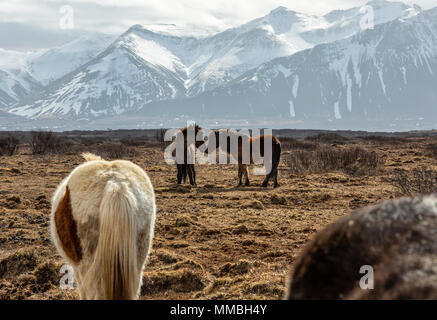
[[116, 251]]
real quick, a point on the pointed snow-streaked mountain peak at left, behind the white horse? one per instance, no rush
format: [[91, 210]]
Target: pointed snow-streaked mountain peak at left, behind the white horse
[[117, 80]]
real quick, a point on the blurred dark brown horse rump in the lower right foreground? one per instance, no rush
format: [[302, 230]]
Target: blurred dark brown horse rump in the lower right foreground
[[397, 239]]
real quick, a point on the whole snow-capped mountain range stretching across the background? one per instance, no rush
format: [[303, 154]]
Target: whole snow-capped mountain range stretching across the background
[[285, 64]]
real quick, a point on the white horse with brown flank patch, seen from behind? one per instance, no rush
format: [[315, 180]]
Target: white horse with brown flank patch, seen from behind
[[102, 224]]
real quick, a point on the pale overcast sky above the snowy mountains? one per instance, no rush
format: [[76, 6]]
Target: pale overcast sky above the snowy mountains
[[34, 24]]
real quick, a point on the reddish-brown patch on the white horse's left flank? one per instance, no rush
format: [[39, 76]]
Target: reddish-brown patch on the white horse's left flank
[[66, 229]]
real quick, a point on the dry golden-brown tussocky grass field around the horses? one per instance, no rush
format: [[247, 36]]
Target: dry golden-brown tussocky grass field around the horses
[[216, 240]]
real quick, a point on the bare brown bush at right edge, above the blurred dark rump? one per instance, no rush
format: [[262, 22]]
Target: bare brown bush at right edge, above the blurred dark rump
[[418, 181]]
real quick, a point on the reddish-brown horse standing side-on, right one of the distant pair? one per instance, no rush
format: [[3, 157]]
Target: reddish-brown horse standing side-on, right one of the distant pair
[[251, 143]]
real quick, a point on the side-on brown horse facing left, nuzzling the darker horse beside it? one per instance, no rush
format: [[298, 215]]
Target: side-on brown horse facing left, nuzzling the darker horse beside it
[[242, 168]]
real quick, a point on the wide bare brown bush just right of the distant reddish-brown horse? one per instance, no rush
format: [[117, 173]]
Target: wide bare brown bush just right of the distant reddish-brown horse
[[352, 160]]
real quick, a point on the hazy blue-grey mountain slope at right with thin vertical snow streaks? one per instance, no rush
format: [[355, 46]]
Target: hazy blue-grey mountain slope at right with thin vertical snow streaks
[[389, 73]]
